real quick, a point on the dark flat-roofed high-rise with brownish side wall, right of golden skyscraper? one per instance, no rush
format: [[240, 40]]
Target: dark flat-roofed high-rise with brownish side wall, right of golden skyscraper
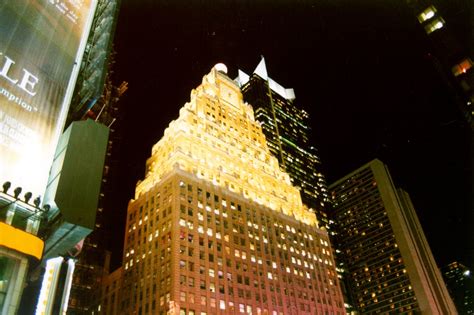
[[390, 268]]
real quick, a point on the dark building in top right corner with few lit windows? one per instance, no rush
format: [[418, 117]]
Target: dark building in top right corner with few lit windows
[[448, 24]]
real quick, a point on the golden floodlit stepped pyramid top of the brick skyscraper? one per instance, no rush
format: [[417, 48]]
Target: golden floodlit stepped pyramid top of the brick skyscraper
[[216, 138]]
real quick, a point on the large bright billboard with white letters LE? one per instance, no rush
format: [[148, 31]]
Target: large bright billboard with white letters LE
[[41, 46]]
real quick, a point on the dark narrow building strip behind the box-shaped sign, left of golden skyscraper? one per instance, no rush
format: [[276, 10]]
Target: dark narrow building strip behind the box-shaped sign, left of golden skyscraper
[[93, 261]]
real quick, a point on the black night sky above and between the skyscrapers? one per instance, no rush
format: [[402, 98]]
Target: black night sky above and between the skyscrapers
[[362, 69]]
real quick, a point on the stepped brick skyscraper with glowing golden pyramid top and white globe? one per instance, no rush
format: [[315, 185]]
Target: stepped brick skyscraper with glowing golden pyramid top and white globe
[[216, 227]]
